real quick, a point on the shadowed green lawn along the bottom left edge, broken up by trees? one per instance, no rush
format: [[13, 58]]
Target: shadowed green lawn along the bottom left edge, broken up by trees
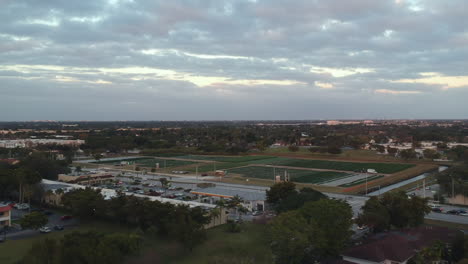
[[249, 246]]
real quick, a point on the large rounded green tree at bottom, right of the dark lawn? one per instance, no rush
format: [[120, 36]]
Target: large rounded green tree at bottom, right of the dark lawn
[[316, 231]]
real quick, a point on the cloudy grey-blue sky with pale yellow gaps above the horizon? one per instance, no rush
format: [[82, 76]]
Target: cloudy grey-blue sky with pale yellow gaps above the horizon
[[233, 60]]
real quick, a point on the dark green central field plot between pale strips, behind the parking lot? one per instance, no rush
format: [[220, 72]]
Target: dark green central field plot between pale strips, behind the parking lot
[[301, 176]]
